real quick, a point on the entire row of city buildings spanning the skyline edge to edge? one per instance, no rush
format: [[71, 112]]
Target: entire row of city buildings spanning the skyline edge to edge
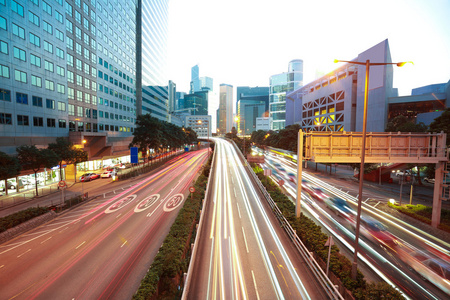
[[86, 70]]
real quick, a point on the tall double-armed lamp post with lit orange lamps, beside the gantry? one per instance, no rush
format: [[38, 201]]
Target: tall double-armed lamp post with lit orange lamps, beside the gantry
[[363, 152]]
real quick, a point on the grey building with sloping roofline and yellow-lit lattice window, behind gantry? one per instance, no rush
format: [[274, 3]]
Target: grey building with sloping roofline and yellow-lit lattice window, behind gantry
[[335, 101]]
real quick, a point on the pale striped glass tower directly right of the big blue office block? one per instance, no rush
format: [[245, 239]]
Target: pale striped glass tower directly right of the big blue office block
[[152, 92]]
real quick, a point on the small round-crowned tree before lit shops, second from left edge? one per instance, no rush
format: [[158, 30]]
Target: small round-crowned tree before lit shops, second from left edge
[[33, 158]]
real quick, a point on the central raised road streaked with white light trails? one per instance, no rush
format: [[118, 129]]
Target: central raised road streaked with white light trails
[[242, 252]]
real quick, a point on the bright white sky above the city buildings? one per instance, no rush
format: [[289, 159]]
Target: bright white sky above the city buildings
[[244, 42]]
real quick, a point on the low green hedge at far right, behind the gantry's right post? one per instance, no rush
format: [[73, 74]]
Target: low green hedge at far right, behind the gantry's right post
[[423, 213]]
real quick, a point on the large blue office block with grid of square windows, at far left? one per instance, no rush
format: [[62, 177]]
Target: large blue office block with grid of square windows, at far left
[[67, 69]]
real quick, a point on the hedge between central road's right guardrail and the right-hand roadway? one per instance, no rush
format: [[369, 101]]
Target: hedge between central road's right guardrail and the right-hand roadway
[[314, 239]]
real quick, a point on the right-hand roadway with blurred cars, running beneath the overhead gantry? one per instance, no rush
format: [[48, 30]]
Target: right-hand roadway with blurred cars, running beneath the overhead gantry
[[385, 260]]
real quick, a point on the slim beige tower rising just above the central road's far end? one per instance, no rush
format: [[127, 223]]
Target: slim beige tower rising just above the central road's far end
[[225, 111]]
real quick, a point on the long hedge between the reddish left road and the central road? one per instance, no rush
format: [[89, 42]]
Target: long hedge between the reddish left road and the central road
[[169, 262]]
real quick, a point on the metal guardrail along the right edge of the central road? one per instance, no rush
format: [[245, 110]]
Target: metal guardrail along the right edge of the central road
[[326, 283]]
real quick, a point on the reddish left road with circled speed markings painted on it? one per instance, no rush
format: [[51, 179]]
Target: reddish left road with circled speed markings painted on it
[[101, 249]]
